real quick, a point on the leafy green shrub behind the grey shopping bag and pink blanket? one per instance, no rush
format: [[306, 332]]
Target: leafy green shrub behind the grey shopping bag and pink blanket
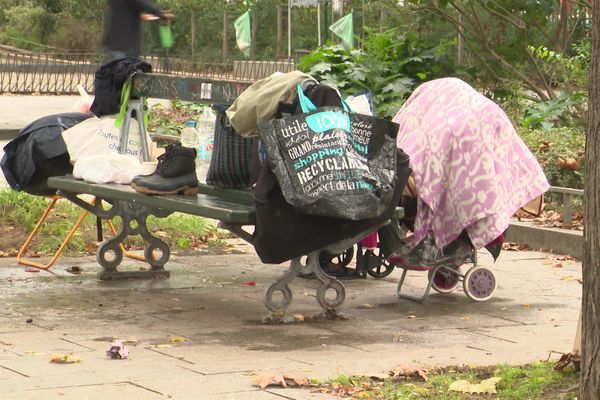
[[390, 66]]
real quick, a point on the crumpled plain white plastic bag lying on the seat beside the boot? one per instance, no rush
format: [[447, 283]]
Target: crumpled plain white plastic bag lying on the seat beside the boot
[[107, 168]]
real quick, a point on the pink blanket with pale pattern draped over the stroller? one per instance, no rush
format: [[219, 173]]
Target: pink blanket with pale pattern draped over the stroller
[[471, 169]]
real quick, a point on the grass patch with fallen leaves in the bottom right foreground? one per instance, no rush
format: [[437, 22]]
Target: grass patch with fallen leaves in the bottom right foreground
[[537, 381]]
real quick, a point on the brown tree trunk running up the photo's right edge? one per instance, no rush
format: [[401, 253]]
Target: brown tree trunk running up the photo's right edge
[[590, 354]]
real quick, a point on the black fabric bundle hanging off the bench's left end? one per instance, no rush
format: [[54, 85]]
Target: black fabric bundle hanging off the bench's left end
[[39, 152]]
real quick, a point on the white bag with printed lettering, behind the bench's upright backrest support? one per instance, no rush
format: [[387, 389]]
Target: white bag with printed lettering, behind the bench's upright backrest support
[[100, 136]]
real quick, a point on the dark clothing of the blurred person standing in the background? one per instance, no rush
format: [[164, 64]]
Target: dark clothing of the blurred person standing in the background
[[123, 32]]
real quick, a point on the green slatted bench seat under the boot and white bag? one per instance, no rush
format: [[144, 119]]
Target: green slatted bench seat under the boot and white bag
[[204, 205]]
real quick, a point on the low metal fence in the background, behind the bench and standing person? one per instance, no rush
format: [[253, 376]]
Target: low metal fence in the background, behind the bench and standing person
[[61, 73]]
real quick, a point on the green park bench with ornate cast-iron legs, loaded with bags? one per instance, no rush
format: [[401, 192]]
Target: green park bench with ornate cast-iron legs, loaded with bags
[[232, 207]]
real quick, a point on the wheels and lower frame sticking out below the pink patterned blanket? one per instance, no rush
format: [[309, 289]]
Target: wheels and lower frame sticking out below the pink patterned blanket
[[444, 267]]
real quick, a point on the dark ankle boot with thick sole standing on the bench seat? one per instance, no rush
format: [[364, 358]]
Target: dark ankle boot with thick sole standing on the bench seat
[[175, 173]]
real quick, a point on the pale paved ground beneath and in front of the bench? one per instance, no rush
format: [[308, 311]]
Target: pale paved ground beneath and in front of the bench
[[534, 312]]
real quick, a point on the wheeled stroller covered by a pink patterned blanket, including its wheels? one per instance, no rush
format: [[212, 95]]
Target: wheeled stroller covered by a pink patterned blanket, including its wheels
[[471, 173]]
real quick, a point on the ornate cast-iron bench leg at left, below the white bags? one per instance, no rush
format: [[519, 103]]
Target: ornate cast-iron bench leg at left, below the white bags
[[134, 217]]
